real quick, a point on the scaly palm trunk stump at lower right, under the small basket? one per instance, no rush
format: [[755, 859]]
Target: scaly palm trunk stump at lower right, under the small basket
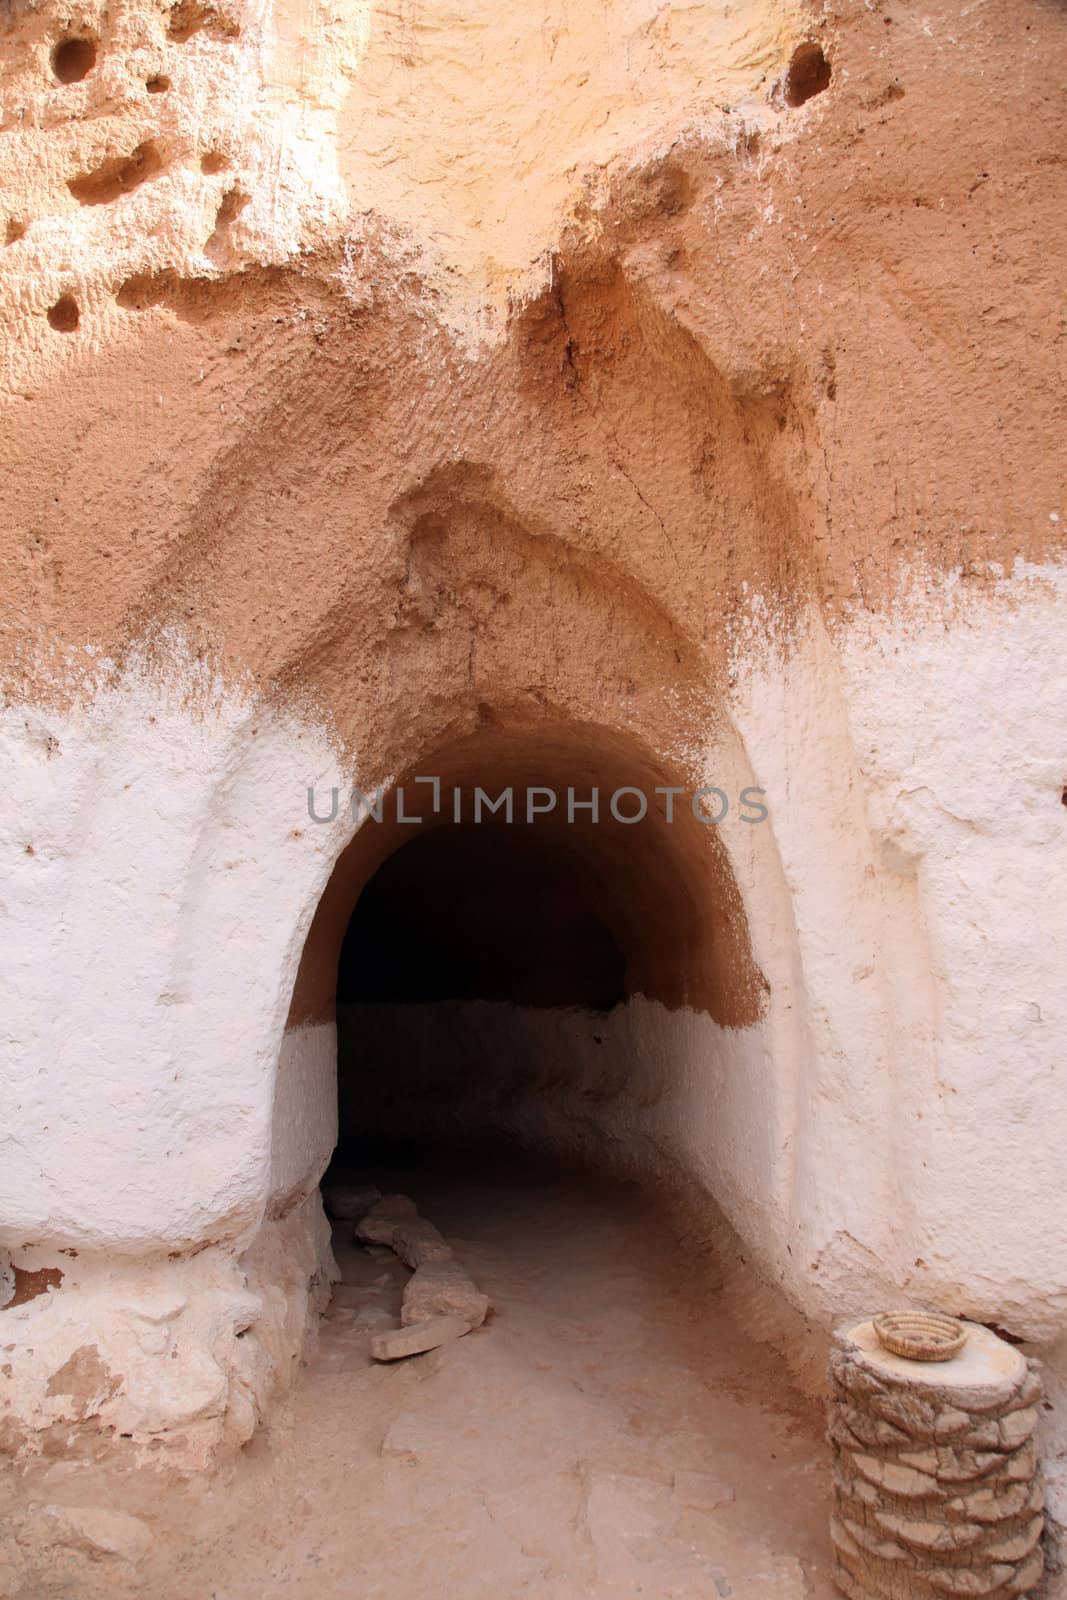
[[935, 1471]]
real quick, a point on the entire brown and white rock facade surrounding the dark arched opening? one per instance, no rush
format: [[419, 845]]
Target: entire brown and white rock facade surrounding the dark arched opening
[[727, 457]]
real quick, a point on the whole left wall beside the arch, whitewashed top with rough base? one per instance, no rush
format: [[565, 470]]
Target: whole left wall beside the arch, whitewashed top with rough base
[[159, 1222]]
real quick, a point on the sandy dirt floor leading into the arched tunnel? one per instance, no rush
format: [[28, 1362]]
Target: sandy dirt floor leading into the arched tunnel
[[609, 1433]]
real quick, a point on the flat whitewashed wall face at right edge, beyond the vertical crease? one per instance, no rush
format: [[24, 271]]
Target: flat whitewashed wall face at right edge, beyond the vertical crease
[[964, 759]]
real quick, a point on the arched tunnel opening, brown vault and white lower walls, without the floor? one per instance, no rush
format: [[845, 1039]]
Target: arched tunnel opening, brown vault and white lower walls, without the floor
[[532, 954]]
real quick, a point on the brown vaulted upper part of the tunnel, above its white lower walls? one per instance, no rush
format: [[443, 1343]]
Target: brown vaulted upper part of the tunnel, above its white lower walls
[[658, 890]]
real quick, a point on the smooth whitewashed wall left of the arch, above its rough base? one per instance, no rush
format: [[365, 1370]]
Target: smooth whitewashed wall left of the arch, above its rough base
[[159, 881]]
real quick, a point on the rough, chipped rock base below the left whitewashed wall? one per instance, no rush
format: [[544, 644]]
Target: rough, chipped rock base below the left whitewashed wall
[[169, 1354]]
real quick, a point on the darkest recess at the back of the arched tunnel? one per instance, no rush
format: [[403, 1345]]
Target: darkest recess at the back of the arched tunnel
[[473, 956]]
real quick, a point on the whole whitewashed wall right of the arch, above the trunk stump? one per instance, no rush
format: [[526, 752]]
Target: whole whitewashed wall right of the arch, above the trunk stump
[[914, 767]]
